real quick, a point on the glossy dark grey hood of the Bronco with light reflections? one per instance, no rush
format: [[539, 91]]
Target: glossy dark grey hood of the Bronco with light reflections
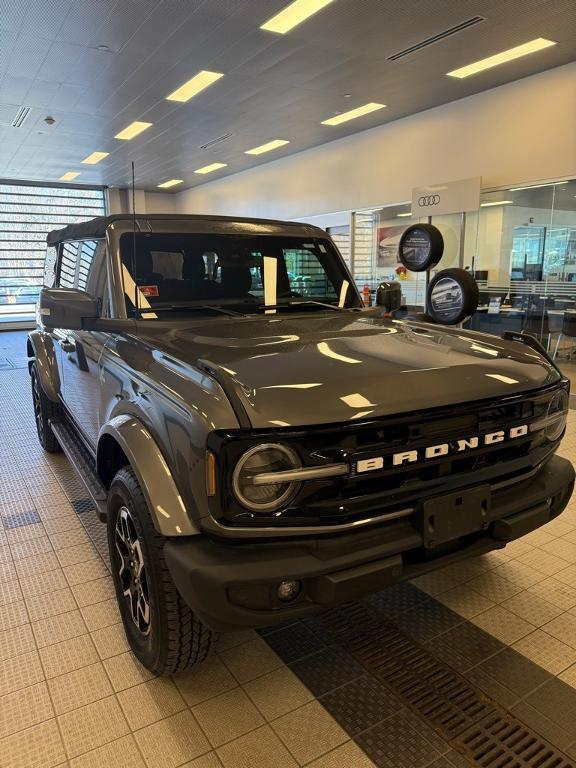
[[319, 369]]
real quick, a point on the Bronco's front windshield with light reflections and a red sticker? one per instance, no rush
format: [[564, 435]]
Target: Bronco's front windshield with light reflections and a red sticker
[[182, 273]]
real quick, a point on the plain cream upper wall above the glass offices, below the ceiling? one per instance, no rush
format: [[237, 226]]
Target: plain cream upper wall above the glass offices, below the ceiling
[[520, 132]]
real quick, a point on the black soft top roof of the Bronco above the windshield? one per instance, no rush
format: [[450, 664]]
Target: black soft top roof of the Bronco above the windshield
[[97, 227]]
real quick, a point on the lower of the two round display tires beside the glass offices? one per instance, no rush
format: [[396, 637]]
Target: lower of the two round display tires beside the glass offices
[[452, 296]]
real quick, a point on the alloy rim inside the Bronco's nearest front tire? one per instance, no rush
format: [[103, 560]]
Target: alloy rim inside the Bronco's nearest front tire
[[132, 570]]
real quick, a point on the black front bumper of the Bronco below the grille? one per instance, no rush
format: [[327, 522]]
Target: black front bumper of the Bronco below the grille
[[235, 586]]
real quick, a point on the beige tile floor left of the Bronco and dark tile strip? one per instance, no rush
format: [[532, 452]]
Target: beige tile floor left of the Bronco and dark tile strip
[[72, 694]]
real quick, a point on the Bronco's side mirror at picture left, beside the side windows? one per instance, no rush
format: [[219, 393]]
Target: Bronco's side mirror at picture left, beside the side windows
[[66, 308]]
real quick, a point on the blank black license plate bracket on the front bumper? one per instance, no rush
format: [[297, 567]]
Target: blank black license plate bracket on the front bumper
[[452, 515]]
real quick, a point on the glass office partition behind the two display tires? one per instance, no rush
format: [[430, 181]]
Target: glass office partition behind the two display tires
[[520, 245]]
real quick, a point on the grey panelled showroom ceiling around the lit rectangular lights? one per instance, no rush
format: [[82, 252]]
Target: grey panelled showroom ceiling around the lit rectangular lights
[[97, 65]]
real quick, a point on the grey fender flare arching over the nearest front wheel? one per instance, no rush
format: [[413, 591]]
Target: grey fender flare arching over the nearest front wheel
[[156, 480]]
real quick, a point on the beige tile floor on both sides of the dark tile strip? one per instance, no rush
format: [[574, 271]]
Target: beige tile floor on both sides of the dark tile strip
[[71, 694]]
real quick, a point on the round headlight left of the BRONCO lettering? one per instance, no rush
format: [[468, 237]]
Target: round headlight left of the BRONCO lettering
[[247, 480]]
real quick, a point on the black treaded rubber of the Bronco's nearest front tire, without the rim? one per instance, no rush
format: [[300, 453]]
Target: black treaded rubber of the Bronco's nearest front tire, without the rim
[[175, 638]]
